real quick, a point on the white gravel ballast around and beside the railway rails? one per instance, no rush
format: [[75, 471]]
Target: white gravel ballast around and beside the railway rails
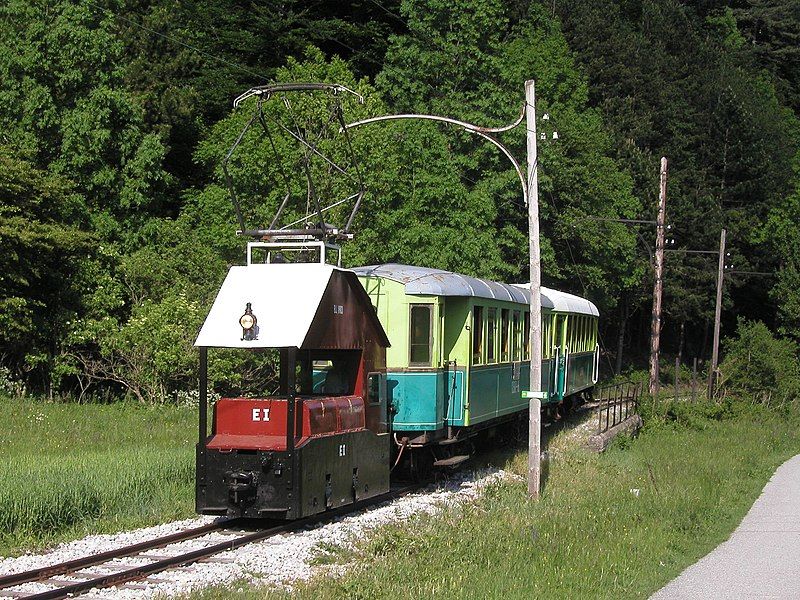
[[278, 560]]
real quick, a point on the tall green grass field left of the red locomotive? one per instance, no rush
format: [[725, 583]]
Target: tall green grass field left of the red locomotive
[[69, 470]]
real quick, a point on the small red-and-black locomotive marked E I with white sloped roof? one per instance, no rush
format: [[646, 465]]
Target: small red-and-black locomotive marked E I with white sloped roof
[[322, 441]]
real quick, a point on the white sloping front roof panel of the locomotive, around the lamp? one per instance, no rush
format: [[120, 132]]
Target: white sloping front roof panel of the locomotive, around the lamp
[[283, 319]]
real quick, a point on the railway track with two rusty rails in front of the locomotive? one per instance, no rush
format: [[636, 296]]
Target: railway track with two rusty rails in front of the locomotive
[[121, 573]]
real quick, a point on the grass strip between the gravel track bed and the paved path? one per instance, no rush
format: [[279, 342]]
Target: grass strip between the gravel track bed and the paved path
[[592, 535]]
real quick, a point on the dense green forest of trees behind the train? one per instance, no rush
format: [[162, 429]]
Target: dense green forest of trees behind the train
[[116, 228]]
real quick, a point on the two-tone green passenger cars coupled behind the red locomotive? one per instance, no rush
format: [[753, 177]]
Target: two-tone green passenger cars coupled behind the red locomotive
[[460, 347]]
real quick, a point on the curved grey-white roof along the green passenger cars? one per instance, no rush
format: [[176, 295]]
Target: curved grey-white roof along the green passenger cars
[[422, 281]]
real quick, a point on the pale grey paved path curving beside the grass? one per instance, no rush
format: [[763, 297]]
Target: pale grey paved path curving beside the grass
[[762, 557]]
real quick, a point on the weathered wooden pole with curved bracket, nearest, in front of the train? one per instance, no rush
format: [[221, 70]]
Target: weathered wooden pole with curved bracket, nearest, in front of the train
[[535, 406]]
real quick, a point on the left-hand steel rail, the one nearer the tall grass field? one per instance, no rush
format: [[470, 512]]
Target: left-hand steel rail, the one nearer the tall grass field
[[69, 566]]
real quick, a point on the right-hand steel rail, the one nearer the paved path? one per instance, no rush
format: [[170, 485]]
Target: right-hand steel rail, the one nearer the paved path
[[142, 571]]
